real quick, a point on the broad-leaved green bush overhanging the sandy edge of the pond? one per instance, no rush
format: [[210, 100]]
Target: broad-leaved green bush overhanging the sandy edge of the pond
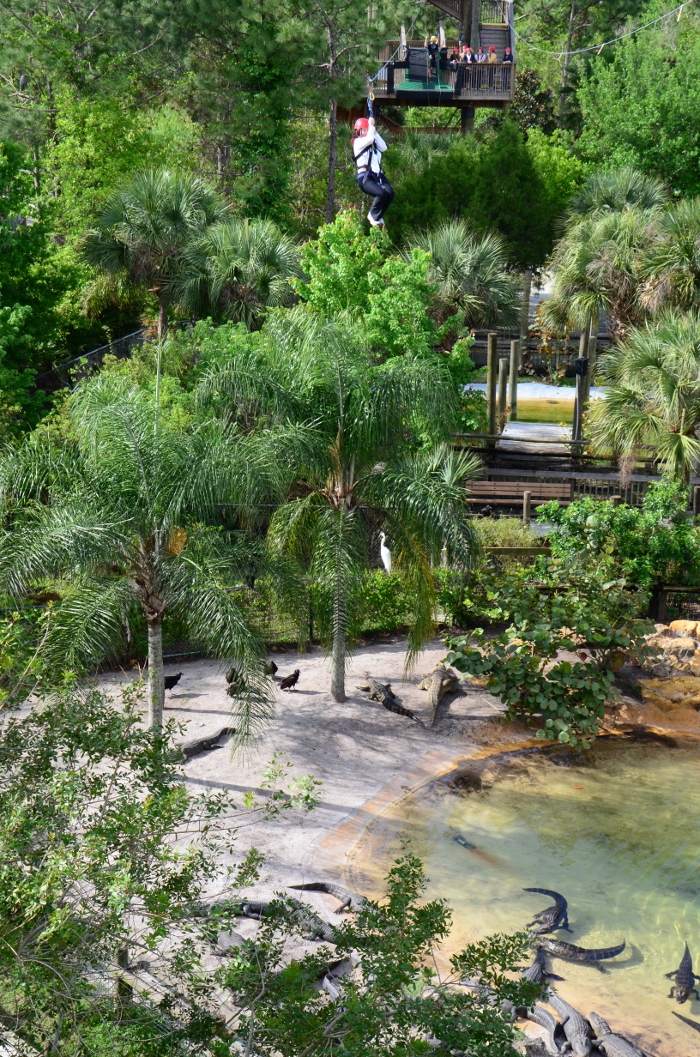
[[579, 610]]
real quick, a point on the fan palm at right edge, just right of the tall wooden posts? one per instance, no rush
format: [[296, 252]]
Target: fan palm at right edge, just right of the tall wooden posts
[[653, 394]]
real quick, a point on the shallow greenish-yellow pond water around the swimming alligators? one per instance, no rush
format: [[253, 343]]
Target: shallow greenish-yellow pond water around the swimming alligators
[[615, 830]]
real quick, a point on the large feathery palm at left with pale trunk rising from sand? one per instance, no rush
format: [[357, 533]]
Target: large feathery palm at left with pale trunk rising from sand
[[120, 516]]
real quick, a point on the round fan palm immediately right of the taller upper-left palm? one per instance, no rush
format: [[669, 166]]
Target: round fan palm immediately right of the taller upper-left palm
[[242, 269]]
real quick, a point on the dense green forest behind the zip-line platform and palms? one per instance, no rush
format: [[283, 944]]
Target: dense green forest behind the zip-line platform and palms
[[242, 96]]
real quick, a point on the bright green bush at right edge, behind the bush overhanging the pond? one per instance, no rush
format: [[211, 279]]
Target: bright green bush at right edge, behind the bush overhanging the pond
[[651, 546]]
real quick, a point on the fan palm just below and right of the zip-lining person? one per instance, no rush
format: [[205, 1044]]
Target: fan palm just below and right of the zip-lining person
[[471, 274]]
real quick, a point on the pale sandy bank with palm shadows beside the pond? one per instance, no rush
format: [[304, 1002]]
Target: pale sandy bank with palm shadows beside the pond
[[364, 755]]
